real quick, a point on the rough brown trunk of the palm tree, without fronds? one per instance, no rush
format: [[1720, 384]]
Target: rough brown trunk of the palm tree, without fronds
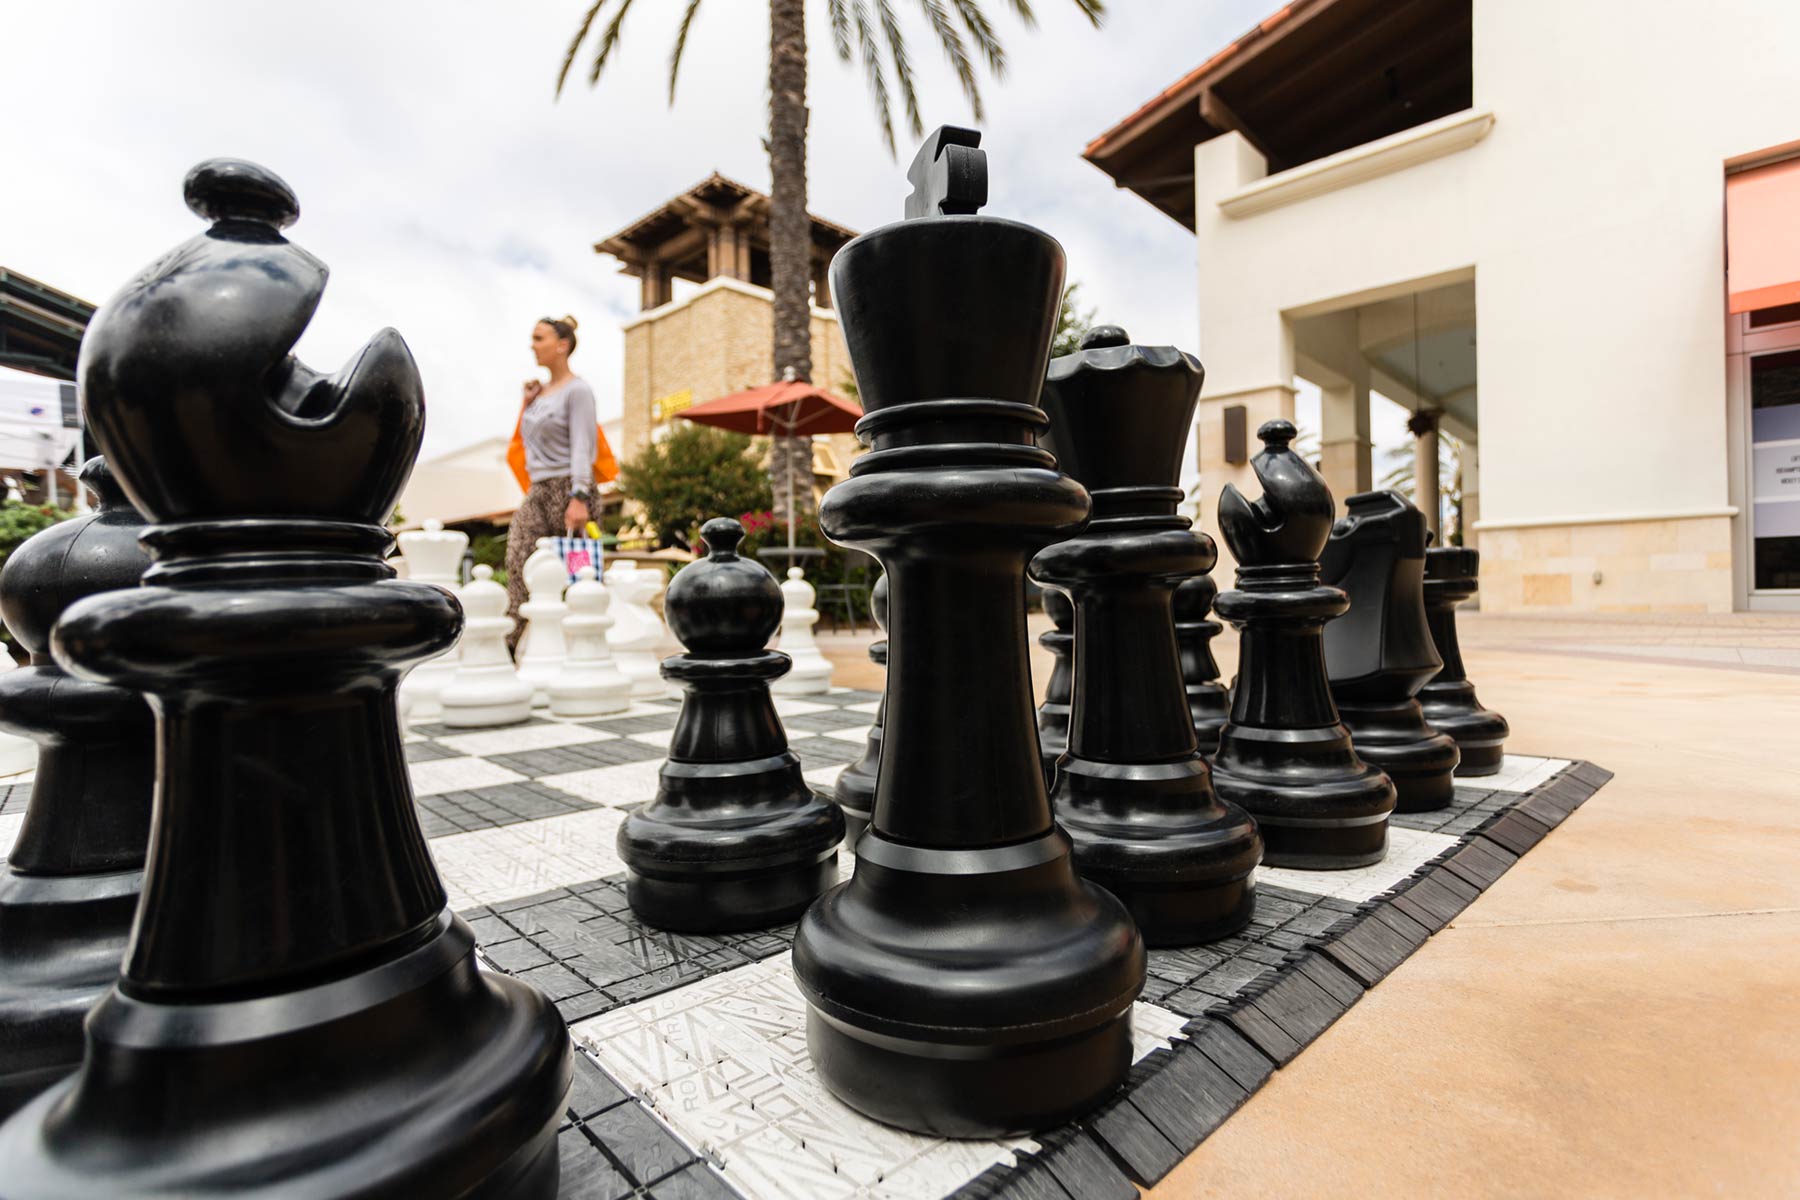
[[789, 238]]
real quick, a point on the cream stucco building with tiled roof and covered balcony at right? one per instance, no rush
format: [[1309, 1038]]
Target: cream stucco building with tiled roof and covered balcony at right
[[1513, 219]]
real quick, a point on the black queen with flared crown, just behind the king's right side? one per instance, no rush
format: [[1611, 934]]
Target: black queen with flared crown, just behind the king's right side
[[1133, 789]]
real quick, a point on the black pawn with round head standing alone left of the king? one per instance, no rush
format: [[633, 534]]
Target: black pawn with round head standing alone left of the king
[[735, 837]]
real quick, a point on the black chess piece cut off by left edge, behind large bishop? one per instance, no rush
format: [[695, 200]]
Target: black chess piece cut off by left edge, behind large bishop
[[69, 888]]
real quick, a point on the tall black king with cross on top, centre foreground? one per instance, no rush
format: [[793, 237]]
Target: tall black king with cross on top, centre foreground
[[966, 981]]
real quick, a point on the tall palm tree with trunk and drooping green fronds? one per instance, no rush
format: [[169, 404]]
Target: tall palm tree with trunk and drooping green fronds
[[861, 30]]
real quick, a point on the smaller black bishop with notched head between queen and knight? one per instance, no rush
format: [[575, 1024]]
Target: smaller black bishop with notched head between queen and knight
[[1286, 757]]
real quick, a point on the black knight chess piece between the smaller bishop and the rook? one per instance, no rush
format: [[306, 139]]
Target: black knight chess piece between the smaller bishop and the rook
[[1380, 654]]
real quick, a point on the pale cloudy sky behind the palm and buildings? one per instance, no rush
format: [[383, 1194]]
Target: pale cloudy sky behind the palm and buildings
[[458, 201]]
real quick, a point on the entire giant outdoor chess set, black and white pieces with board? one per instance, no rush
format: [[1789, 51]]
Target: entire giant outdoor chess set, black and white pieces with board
[[318, 891]]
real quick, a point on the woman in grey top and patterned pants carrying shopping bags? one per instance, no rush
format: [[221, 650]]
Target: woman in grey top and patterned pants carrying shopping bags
[[559, 456]]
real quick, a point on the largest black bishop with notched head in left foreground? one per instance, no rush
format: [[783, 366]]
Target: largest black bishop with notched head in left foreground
[[300, 1010]]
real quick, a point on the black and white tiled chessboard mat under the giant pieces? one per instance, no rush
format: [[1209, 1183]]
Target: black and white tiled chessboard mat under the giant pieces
[[692, 1075]]
